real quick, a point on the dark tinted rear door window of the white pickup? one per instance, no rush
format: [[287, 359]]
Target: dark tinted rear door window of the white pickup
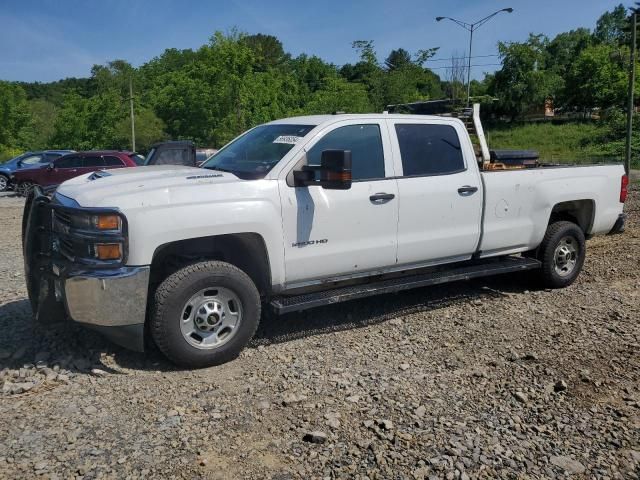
[[429, 149]]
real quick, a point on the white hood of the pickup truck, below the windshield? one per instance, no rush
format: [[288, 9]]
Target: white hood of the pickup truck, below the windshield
[[140, 186]]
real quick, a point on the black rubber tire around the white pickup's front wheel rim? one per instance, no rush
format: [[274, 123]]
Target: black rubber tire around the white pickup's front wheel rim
[[168, 309]]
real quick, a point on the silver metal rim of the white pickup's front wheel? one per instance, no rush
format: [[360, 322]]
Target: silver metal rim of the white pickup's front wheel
[[211, 318]]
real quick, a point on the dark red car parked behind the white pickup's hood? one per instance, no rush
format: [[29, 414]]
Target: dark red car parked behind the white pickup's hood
[[70, 166]]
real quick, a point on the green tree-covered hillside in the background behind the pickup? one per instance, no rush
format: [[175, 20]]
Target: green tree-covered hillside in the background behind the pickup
[[237, 80]]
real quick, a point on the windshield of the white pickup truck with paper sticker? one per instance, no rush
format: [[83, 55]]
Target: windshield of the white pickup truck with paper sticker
[[256, 152]]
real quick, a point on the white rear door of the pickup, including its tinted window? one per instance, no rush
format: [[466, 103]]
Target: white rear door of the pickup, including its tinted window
[[440, 208]]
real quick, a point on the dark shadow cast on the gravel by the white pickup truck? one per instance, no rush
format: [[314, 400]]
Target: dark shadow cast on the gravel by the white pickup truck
[[76, 350]]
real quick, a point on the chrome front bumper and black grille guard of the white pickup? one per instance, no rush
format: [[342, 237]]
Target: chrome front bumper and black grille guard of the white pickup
[[112, 301]]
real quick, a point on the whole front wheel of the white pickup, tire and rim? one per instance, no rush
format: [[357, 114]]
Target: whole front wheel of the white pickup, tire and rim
[[205, 314]]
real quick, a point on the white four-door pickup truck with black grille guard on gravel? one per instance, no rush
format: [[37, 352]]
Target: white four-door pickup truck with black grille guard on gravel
[[297, 213]]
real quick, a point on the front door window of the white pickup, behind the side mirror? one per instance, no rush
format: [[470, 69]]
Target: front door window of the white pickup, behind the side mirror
[[365, 143]]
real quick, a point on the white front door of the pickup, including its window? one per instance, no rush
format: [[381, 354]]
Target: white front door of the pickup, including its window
[[331, 233]]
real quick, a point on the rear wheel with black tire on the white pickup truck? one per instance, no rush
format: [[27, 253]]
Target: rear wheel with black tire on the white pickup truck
[[558, 235]]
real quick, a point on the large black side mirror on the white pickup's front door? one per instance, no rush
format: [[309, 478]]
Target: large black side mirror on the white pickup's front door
[[334, 168]]
